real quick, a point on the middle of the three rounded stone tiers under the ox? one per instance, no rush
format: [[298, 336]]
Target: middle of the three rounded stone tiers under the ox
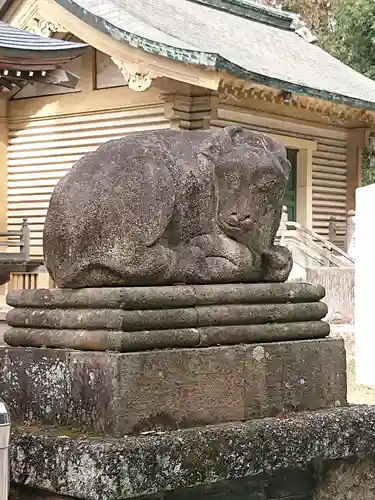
[[158, 319]]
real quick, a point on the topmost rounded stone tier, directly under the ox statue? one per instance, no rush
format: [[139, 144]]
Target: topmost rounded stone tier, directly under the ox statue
[[167, 297]]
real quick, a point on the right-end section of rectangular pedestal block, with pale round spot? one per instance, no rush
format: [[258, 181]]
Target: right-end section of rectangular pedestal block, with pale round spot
[[288, 377]]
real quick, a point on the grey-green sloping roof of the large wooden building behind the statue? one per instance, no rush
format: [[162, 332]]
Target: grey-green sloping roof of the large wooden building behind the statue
[[236, 36]]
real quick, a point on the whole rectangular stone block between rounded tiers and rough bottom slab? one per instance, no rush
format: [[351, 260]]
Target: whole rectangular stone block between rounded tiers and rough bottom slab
[[122, 393]]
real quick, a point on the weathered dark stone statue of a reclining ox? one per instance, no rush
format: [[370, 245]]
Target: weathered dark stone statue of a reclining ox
[[170, 207]]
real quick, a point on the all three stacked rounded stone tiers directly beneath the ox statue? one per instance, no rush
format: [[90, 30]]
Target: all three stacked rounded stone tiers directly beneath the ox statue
[[144, 318]]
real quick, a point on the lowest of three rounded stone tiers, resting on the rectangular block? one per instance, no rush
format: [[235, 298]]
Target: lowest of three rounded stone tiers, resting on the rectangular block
[[103, 340]]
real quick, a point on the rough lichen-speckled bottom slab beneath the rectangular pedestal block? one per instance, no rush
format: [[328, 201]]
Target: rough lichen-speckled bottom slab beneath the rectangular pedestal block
[[163, 464]]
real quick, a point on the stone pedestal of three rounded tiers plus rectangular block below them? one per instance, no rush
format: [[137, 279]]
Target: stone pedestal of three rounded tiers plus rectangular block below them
[[169, 357]]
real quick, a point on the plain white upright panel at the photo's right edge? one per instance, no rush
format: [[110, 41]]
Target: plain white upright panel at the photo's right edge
[[365, 285]]
